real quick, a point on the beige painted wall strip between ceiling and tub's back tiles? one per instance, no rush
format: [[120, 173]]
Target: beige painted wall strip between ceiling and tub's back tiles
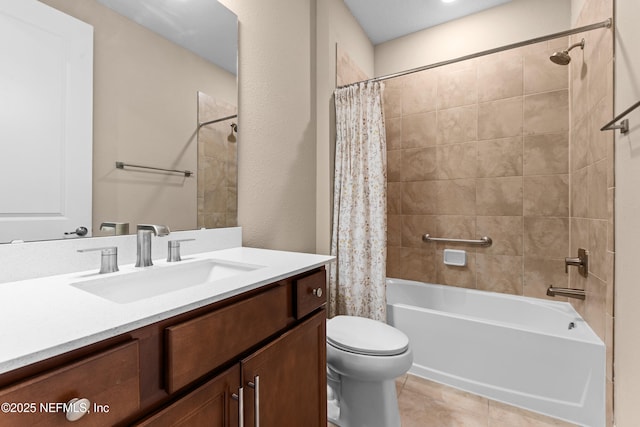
[[512, 22]]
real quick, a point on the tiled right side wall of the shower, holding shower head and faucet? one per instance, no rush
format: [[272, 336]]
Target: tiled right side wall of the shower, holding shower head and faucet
[[592, 175]]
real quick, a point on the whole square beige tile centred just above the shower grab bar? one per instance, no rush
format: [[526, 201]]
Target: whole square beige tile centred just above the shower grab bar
[[456, 197]]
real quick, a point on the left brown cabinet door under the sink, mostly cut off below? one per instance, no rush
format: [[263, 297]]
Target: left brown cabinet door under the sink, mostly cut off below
[[210, 405]]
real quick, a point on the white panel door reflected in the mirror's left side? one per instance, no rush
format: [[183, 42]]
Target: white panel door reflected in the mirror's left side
[[46, 98]]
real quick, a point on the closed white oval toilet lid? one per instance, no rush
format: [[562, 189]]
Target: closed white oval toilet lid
[[365, 336]]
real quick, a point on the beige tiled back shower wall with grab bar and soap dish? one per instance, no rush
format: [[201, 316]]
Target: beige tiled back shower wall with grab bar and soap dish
[[477, 148]]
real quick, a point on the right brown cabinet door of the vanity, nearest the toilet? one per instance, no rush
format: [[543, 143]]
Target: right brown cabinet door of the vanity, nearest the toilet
[[285, 382]]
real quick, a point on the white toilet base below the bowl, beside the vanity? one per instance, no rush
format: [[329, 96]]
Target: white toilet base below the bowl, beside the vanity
[[365, 404]]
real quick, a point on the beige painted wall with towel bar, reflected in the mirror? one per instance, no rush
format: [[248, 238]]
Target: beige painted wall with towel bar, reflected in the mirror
[[145, 112]]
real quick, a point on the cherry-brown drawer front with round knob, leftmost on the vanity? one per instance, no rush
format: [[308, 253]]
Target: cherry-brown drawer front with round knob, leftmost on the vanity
[[109, 380]]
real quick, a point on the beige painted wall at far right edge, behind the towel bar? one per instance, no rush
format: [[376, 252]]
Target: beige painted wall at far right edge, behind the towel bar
[[627, 207]]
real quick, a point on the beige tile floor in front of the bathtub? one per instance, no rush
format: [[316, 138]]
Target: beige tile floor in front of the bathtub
[[424, 403]]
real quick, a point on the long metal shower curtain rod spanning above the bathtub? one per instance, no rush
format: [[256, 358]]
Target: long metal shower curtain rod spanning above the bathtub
[[604, 24]]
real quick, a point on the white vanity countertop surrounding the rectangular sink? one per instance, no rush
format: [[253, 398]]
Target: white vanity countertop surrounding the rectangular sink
[[45, 317]]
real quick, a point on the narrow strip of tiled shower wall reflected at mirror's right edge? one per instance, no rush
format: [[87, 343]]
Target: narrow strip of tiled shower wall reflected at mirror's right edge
[[217, 165]]
